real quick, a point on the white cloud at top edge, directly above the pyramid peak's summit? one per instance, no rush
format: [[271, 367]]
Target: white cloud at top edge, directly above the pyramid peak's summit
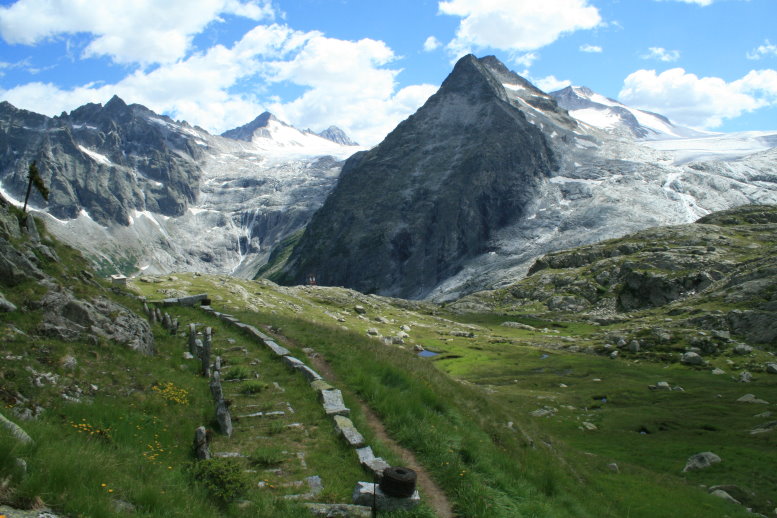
[[517, 26]]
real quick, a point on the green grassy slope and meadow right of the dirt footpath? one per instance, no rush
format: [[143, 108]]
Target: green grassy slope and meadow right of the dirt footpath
[[455, 416]]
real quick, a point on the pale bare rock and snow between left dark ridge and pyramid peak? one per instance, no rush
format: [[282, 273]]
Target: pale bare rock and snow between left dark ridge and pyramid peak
[[253, 193]]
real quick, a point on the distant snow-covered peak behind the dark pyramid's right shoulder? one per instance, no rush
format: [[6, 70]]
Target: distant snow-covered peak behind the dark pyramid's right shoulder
[[609, 115]]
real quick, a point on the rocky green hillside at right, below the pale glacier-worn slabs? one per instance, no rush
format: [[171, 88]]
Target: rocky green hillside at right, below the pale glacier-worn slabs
[[725, 259]]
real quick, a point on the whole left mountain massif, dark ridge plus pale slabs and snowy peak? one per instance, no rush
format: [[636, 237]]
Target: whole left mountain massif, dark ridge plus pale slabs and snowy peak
[[134, 188]]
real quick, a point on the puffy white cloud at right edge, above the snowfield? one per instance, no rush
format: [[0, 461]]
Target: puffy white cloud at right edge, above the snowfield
[[700, 102]]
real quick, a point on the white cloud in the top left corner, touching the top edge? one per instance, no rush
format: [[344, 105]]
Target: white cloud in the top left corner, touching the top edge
[[128, 31]]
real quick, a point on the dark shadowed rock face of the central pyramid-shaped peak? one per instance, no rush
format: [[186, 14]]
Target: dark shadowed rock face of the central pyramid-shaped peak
[[407, 214]]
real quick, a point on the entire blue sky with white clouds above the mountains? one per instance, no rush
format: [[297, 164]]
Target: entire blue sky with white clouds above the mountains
[[365, 65]]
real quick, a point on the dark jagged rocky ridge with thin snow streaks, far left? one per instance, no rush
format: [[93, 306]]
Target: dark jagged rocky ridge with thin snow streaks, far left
[[106, 160]]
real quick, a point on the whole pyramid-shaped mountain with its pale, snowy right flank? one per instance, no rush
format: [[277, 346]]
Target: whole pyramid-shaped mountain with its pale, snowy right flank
[[491, 173]]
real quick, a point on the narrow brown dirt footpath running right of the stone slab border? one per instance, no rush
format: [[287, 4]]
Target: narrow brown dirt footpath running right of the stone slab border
[[432, 493]]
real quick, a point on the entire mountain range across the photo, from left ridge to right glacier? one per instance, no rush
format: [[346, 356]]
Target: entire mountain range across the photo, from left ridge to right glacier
[[488, 175]]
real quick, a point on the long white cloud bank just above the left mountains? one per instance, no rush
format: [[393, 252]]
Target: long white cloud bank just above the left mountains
[[347, 83]]
